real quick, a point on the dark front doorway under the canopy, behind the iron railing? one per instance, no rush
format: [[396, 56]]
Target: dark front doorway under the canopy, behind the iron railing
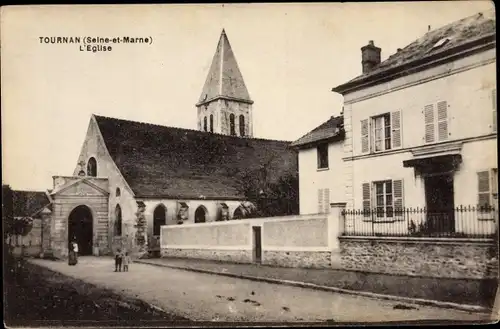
[[439, 198]]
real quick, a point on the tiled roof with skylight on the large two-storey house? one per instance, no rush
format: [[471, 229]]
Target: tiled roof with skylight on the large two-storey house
[[453, 35]]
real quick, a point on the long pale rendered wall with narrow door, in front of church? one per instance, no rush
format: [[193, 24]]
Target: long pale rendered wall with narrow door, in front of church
[[288, 241]]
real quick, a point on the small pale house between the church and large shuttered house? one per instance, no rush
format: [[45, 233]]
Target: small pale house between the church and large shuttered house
[[321, 166]]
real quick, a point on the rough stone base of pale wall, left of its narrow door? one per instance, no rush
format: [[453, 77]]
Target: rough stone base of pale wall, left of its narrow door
[[236, 256]]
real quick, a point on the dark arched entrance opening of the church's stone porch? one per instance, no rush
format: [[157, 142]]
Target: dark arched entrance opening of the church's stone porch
[[80, 227]]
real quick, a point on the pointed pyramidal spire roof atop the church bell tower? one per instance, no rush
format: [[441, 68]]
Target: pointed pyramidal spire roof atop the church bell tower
[[224, 79]]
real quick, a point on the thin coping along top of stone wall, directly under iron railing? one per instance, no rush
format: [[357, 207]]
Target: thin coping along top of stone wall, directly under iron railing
[[419, 239]]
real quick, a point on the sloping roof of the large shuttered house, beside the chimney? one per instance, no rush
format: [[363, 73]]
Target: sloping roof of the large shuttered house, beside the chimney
[[468, 33]]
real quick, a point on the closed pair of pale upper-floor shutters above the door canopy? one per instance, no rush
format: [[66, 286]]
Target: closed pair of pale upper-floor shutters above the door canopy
[[436, 122]]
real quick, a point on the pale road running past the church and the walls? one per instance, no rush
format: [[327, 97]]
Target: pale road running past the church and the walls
[[206, 297]]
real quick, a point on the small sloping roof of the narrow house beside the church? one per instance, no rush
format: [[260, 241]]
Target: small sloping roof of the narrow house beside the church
[[331, 130]]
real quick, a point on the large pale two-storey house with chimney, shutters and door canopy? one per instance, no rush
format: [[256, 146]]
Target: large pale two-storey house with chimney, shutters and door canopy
[[421, 132]]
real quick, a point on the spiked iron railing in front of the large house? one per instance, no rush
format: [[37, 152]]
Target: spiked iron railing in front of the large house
[[461, 221]]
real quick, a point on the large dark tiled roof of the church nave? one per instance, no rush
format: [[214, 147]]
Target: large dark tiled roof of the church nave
[[159, 161]]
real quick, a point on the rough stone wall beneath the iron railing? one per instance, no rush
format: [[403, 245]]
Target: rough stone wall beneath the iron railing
[[440, 258]]
